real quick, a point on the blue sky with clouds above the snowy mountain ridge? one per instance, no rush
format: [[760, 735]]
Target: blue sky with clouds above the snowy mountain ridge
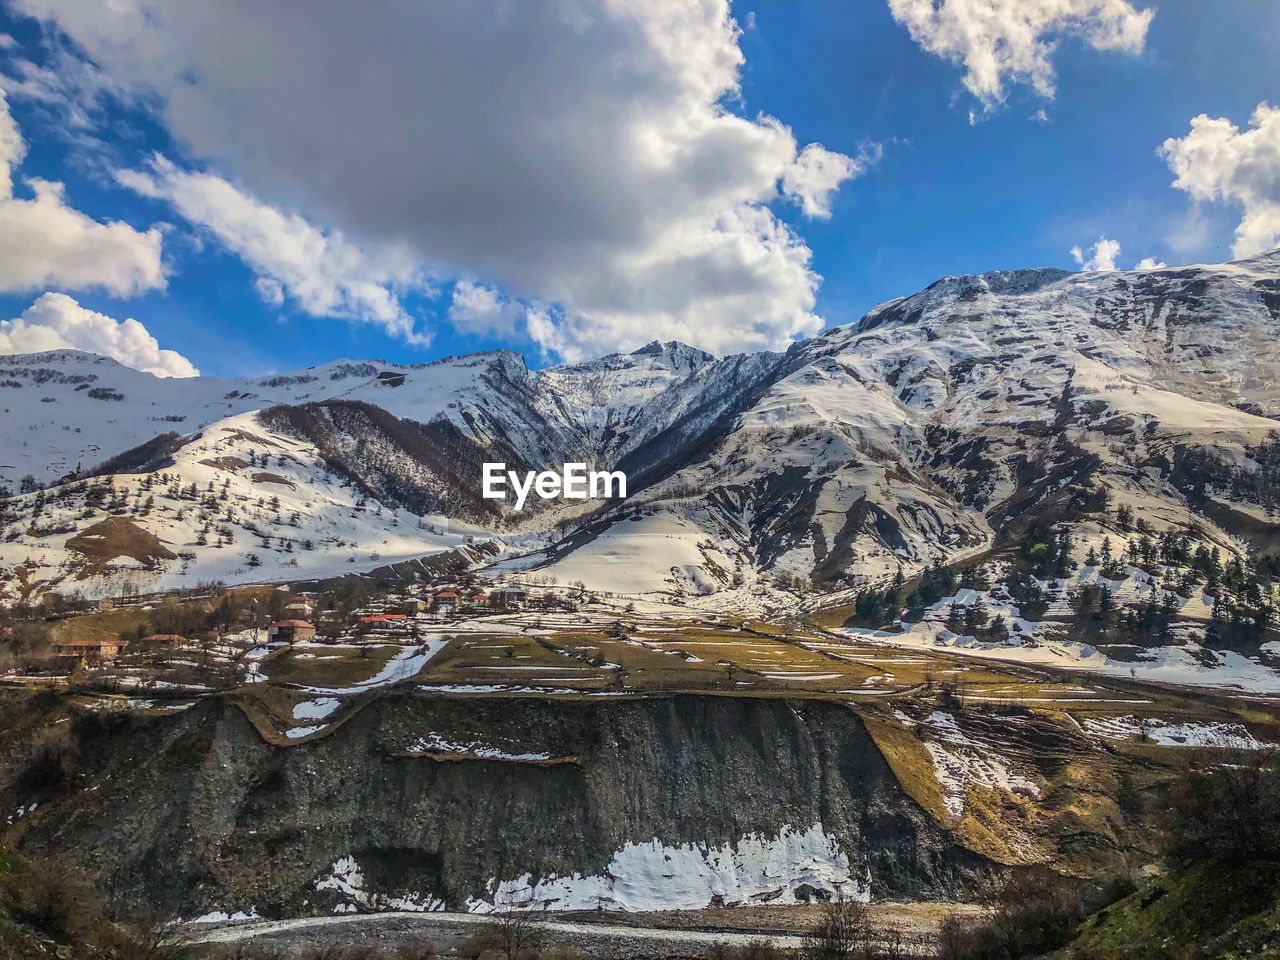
[[417, 188]]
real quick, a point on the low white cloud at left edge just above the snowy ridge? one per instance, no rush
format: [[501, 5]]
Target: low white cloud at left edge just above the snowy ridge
[[57, 322]]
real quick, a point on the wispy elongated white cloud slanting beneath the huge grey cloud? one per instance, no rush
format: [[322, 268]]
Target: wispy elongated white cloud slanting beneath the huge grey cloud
[[319, 271]]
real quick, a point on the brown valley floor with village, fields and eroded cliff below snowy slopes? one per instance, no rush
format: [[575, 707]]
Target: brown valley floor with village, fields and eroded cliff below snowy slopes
[[638, 762]]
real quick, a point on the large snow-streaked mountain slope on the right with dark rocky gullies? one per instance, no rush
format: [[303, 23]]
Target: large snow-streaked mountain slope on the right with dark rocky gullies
[[920, 433]]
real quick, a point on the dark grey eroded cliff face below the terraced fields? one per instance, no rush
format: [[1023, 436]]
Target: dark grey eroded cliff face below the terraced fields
[[769, 799]]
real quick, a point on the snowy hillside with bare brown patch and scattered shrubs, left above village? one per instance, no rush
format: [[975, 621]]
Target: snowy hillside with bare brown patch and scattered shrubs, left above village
[[237, 504]]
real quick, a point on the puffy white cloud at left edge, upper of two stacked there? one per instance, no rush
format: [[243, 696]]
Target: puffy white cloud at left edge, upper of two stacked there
[[47, 244]]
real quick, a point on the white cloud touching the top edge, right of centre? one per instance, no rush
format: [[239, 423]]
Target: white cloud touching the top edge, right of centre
[[1000, 42]]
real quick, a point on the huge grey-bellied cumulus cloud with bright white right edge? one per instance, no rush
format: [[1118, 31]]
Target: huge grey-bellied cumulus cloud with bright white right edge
[[579, 154]]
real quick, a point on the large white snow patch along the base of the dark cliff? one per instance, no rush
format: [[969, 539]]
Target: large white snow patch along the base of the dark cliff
[[652, 876]]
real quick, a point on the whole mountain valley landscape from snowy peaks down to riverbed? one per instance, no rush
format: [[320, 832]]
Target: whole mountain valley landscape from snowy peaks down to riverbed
[[930, 604]]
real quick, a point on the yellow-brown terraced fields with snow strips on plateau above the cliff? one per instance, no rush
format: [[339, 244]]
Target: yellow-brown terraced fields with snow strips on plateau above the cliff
[[1017, 761]]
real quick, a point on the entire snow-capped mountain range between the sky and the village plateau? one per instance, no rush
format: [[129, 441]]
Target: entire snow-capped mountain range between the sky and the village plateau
[[931, 431]]
